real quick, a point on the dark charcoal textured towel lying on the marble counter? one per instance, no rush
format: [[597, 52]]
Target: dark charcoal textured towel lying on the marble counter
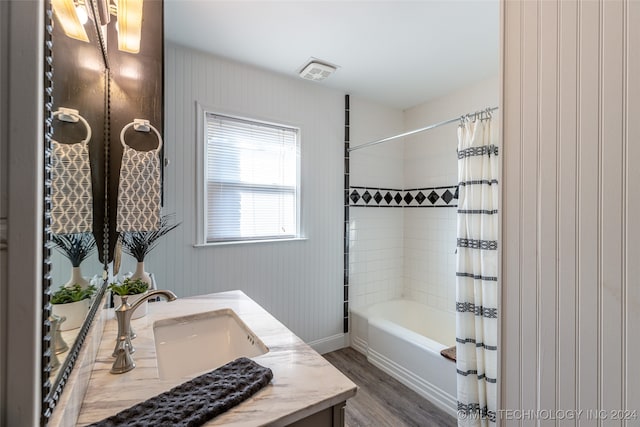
[[197, 401]]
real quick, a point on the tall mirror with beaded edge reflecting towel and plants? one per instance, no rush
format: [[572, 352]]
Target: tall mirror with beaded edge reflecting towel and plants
[[79, 81]]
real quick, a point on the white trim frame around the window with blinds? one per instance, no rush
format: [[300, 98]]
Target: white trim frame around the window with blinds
[[201, 178]]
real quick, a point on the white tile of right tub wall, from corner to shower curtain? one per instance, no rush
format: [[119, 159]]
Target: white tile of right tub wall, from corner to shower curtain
[[430, 160]]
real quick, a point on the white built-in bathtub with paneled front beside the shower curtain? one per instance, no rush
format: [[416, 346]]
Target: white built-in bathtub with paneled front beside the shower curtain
[[404, 339]]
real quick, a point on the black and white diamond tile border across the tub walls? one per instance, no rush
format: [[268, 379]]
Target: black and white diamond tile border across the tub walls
[[428, 197]]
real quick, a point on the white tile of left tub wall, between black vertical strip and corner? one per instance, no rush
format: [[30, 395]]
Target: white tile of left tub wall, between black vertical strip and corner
[[375, 247]]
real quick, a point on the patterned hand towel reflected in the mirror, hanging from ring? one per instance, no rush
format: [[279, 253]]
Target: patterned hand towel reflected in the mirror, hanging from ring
[[72, 199]]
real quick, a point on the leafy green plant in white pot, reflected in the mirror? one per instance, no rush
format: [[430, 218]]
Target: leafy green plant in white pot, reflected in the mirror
[[73, 303]]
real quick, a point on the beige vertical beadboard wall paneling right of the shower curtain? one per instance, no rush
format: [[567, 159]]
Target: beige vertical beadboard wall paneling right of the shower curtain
[[570, 200]]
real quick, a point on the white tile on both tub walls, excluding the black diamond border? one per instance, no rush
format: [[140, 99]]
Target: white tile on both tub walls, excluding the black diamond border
[[417, 243]]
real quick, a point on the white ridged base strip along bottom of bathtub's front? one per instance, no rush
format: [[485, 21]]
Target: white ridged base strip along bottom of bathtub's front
[[434, 394]]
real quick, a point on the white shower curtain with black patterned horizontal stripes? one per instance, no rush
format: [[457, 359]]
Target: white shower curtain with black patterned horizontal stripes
[[477, 272]]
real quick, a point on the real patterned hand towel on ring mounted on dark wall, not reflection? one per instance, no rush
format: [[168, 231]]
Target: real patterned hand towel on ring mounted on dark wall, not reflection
[[139, 191]]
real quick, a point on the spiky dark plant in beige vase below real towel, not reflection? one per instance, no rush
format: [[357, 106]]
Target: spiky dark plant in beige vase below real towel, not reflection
[[139, 243]]
